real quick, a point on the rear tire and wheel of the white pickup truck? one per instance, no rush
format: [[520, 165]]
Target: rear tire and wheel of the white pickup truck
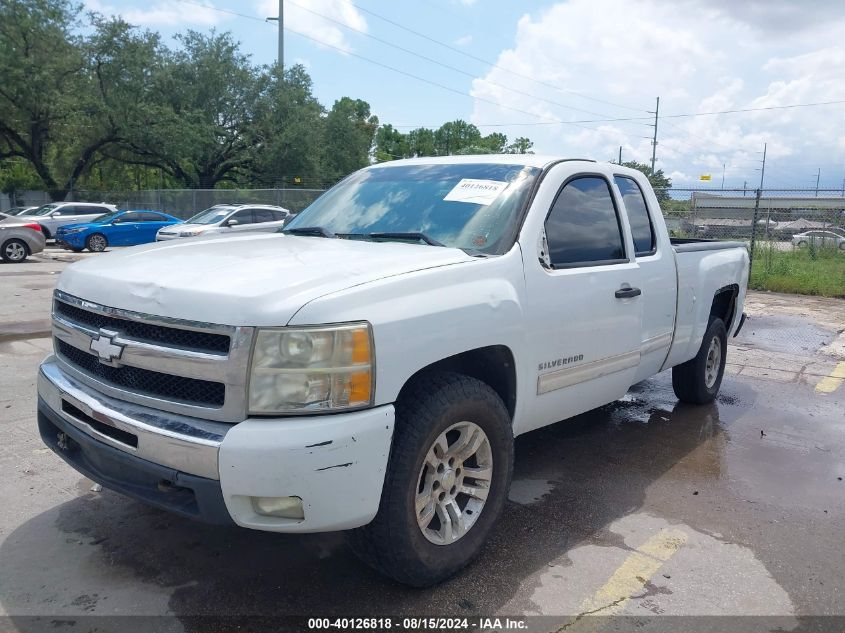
[[697, 381]]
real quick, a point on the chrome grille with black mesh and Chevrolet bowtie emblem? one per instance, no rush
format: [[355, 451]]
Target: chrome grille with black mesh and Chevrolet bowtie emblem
[[186, 367]]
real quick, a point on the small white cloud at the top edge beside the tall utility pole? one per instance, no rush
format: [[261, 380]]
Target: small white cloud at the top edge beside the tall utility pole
[[306, 16]]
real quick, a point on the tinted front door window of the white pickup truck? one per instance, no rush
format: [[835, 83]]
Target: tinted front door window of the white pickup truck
[[583, 225]]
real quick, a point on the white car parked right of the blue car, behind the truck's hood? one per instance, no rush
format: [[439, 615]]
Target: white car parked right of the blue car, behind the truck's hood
[[228, 219]]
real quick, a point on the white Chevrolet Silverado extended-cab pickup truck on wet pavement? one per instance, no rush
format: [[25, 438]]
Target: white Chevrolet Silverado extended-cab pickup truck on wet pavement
[[367, 368]]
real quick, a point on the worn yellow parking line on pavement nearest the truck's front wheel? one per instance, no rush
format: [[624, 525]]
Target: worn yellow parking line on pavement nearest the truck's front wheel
[[632, 575]]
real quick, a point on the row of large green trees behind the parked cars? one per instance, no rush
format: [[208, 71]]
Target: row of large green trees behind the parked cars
[[90, 102]]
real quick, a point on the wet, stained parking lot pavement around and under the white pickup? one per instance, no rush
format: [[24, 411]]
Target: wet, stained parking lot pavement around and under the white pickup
[[644, 507]]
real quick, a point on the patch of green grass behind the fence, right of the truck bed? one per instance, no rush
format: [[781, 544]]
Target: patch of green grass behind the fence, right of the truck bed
[[779, 268]]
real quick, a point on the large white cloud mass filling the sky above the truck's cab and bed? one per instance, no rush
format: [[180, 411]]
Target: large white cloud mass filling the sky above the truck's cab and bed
[[701, 56]]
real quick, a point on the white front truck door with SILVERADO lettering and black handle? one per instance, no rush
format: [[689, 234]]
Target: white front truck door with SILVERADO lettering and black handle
[[584, 297]]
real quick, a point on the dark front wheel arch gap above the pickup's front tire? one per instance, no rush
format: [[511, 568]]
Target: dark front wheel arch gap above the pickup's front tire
[[493, 365]]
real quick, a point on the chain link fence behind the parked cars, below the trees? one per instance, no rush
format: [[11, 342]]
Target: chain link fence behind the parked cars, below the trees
[[183, 203]]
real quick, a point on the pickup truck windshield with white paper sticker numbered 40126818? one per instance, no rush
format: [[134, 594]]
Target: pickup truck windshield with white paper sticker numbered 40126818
[[468, 206]]
